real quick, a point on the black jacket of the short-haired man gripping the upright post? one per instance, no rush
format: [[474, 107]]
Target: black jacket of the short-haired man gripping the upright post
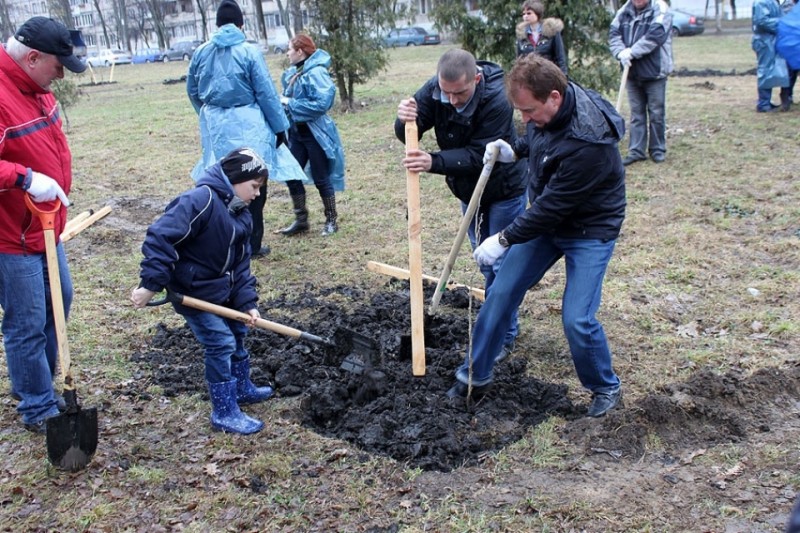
[[462, 137]]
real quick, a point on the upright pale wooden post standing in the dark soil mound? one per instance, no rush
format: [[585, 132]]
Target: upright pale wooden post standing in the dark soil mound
[[415, 258]]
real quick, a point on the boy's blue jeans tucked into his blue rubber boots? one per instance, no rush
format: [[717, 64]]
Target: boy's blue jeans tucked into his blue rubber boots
[[222, 339]]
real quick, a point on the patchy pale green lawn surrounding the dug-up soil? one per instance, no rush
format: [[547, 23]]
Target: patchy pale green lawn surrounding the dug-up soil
[[718, 218]]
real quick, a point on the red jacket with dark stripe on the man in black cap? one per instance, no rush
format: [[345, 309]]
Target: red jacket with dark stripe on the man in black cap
[[30, 138]]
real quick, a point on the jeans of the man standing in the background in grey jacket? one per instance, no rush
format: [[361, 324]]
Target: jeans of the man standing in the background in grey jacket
[[648, 103]]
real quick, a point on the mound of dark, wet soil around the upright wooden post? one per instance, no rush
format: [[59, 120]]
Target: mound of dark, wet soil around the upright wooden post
[[384, 409]]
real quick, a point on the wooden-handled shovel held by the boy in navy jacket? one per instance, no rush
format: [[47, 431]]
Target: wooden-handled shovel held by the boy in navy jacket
[[362, 352]]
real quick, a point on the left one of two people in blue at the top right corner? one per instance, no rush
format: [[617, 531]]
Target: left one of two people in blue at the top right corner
[[772, 70]]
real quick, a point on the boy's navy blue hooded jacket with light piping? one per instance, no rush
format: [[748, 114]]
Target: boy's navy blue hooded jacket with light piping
[[200, 247]]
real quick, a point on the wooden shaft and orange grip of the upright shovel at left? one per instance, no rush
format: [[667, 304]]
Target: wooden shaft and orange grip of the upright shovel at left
[[47, 219]]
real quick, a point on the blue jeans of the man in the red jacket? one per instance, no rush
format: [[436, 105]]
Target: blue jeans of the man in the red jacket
[[29, 333]]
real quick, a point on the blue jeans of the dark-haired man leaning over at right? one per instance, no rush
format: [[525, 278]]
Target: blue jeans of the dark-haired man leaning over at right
[[525, 264]]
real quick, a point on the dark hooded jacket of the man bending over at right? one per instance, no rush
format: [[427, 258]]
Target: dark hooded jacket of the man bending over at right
[[577, 181]]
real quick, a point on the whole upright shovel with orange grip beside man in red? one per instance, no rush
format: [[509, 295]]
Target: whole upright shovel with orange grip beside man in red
[[71, 435]]
